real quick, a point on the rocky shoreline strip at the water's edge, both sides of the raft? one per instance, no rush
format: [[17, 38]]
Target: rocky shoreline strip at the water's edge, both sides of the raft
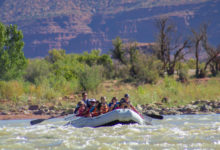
[[44, 112]]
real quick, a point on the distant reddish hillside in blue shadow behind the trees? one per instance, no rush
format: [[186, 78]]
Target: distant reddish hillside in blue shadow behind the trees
[[79, 25]]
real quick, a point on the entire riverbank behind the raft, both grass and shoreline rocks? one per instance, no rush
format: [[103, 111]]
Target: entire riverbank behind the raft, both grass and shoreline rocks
[[167, 97]]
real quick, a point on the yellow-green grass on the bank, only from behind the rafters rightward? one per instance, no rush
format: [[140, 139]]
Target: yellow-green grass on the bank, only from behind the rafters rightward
[[176, 92]]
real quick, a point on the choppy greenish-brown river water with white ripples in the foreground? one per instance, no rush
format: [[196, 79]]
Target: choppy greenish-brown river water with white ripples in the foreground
[[173, 132]]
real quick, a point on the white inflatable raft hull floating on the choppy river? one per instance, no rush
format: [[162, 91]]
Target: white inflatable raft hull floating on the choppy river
[[118, 116]]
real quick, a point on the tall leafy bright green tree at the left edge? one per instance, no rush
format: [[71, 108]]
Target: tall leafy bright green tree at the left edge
[[12, 59]]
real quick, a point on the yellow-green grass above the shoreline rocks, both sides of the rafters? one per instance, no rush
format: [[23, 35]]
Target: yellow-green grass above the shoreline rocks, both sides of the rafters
[[21, 93]]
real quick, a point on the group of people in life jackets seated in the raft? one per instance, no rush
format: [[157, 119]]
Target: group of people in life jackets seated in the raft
[[92, 107]]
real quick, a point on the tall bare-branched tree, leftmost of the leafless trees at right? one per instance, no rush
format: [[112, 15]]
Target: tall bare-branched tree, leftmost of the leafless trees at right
[[169, 48]]
